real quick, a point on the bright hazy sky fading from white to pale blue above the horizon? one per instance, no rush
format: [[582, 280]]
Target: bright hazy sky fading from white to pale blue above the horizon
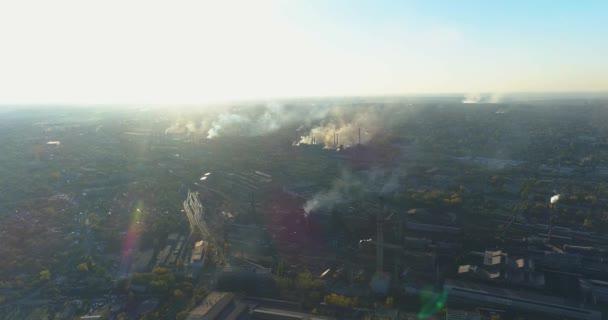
[[148, 51]]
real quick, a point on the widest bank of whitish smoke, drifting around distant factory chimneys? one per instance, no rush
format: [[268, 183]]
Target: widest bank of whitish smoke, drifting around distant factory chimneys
[[344, 122]]
